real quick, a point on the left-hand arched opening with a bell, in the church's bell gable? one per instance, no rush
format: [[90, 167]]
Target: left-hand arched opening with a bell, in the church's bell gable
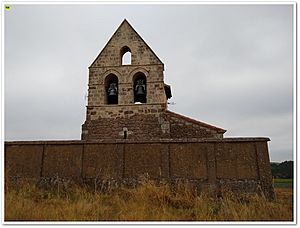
[[111, 89]]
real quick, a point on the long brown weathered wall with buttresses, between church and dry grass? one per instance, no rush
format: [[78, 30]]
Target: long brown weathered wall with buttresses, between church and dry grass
[[240, 164]]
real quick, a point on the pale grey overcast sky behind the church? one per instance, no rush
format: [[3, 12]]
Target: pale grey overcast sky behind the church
[[228, 65]]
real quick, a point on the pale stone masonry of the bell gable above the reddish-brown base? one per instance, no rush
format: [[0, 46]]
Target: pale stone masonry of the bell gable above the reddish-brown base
[[109, 61]]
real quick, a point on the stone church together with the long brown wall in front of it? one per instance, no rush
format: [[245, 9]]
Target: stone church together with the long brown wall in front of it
[[129, 132]]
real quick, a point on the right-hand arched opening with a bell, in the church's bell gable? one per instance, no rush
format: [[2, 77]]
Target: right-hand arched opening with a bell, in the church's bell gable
[[140, 88]]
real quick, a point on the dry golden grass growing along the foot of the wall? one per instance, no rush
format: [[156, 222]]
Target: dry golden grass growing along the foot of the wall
[[145, 203]]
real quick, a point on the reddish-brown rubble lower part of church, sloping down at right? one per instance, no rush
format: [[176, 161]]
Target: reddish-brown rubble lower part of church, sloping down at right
[[145, 122]]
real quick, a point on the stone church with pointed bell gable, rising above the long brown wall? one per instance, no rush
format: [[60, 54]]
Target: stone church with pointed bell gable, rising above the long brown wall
[[128, 100]]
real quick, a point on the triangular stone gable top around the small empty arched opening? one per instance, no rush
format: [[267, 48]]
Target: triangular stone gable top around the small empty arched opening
[[125, 35]]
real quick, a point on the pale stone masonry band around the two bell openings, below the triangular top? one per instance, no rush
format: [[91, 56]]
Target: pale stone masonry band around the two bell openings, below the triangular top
[[125, 74]]
